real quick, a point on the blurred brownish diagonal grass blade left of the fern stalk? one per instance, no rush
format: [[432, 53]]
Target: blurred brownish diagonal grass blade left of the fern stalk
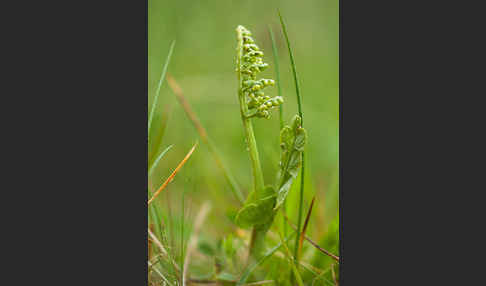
[[204, 137]]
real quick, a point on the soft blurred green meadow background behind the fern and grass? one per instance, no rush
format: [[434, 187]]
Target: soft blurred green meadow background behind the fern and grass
[[203, 63]]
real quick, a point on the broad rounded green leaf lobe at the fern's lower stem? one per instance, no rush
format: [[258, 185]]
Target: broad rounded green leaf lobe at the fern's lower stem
[[257, 211]]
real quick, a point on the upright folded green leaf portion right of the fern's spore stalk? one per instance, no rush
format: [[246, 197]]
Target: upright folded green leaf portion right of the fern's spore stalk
[[292, 142]]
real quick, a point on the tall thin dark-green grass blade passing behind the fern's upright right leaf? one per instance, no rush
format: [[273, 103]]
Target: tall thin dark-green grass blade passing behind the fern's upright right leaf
[[299, 102]]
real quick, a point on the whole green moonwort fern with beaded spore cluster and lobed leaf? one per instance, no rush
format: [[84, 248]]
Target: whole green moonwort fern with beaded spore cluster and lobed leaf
[[263, 202]]
